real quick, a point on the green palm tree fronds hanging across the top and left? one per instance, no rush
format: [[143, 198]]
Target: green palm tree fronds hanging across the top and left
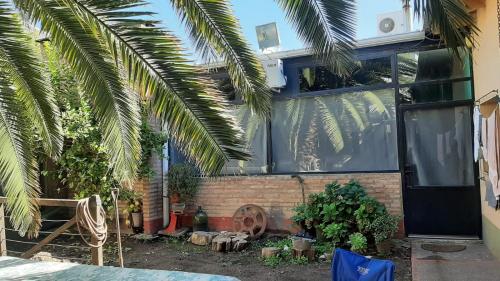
[[115, 52]]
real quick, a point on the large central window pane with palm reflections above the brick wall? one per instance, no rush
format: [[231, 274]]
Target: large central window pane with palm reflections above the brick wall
[[346, 132]]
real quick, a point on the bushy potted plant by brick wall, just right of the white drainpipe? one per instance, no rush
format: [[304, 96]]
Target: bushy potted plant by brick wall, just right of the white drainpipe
[[183, 183]]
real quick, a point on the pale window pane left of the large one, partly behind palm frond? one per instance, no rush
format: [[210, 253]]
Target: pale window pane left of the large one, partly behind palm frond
[[256, 143]]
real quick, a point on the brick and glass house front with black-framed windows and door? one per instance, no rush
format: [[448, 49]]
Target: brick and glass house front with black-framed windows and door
[[401, 125]]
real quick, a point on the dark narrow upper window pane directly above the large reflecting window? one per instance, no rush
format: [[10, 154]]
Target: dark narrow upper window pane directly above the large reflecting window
[[367, 72]]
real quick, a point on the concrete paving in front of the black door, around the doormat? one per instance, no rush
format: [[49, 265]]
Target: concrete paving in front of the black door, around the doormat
[[475, 263]]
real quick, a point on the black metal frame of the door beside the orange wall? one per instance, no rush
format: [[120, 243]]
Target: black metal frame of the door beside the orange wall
[[402, 108]]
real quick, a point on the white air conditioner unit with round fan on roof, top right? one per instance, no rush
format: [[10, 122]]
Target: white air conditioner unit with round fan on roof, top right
[[393, 23]]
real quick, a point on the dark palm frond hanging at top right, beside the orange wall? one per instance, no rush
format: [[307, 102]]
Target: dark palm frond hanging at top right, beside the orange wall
[[450, 18]]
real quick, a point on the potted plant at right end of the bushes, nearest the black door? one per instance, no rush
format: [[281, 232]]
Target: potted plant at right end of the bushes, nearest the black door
[[383, 229]]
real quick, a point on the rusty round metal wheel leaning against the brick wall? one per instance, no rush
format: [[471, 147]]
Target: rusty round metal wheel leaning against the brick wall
[[250, 219]]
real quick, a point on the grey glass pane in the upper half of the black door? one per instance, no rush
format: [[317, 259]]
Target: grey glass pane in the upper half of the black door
[[439, 146]]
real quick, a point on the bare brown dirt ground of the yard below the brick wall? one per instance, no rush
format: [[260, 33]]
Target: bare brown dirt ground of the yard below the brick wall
[[178, 254]]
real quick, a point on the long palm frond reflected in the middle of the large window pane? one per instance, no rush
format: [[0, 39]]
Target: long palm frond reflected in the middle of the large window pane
[[330, 124]]
